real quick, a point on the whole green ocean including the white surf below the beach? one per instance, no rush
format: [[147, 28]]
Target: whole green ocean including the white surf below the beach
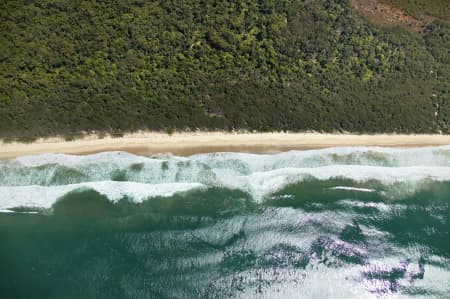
[[357, 222]]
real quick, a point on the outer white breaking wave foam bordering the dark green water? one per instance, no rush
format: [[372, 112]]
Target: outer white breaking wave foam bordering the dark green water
[[258, 184]]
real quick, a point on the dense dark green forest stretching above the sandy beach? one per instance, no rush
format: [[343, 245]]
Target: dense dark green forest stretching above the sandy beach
[[114, 66]]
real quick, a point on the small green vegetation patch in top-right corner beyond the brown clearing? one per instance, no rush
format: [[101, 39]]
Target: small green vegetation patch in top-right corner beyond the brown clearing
[[419, 8]]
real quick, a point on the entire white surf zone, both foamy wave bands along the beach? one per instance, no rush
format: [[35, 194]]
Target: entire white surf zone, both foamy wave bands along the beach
[[258, 175]]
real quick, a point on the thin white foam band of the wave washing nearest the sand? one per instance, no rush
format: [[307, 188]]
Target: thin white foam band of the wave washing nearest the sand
[[427, 156]]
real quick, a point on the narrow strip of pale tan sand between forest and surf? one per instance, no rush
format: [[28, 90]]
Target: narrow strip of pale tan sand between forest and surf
[[188, 143]]
